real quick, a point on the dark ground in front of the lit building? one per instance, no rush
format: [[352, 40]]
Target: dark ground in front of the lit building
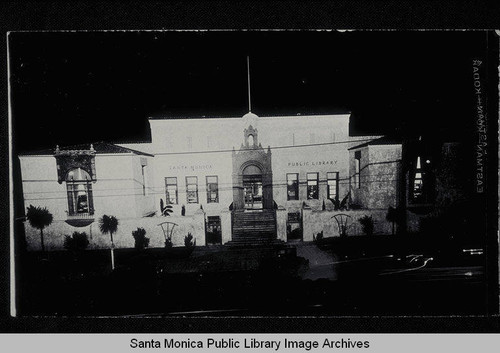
[[333, 279]]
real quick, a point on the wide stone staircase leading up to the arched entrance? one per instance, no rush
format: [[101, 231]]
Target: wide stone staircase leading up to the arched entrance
[[254, 228]]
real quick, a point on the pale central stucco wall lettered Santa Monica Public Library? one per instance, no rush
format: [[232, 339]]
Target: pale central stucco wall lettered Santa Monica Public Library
[[172, 138]]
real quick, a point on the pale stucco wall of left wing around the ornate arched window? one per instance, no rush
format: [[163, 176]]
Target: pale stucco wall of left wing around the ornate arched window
[[117, 192]]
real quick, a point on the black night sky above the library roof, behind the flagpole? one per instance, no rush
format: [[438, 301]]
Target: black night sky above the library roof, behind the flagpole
[[78, 87]]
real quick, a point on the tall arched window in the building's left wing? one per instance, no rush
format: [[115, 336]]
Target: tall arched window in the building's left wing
[[79, 188]]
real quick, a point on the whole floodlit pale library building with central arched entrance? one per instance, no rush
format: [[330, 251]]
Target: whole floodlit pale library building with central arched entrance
[[225, 180]]
